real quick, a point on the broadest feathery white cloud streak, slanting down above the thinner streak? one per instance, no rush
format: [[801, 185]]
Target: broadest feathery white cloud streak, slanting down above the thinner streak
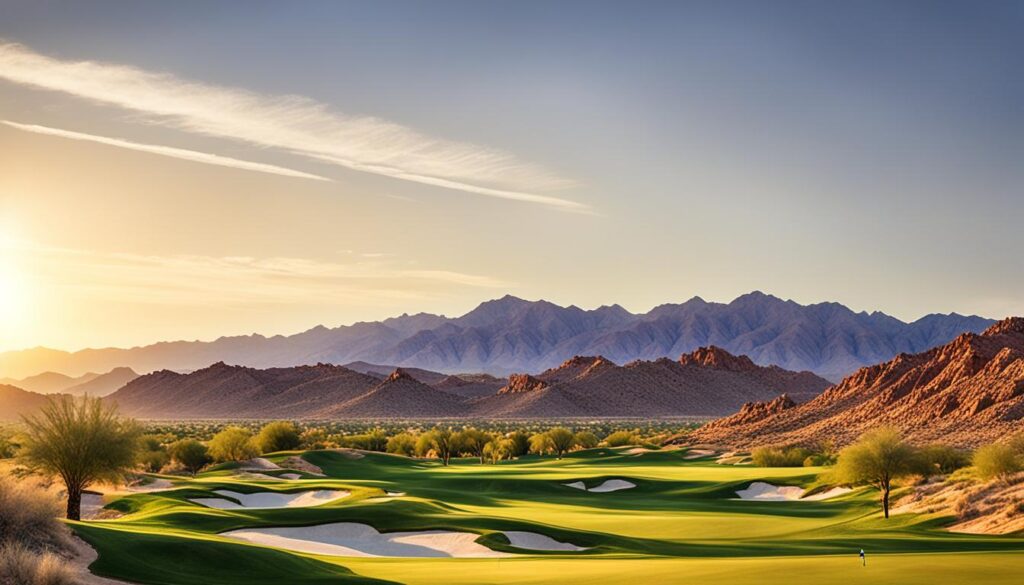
[[292, 123]]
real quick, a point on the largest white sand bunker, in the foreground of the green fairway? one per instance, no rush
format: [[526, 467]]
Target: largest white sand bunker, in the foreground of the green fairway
[[352, 539]]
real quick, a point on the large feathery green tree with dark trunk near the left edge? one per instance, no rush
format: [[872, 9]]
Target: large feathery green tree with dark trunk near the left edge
[[82, 442]]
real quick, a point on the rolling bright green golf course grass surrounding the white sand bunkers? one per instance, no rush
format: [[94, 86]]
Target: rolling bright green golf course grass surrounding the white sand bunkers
[[681, 523]]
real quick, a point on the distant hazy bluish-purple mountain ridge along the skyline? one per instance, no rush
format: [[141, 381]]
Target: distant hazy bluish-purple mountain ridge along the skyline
[[510, 336]]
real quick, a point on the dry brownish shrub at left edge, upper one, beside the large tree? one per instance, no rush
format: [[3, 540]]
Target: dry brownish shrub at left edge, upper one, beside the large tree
[[29, 517]]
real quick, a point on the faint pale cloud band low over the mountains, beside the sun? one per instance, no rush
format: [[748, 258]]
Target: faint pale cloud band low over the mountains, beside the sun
[[235, 281]]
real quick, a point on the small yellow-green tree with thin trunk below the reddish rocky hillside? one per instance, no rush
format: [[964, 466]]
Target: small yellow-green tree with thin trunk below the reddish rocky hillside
[[878, 458]]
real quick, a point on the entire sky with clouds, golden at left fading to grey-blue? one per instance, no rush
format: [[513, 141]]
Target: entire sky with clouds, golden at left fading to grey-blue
[[186, 171]]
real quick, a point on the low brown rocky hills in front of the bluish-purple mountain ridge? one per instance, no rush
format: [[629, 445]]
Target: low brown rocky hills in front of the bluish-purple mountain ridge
[[708, 383]]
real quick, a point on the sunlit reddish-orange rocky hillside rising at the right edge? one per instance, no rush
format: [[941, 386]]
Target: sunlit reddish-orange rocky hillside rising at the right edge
[[967, 393]]
